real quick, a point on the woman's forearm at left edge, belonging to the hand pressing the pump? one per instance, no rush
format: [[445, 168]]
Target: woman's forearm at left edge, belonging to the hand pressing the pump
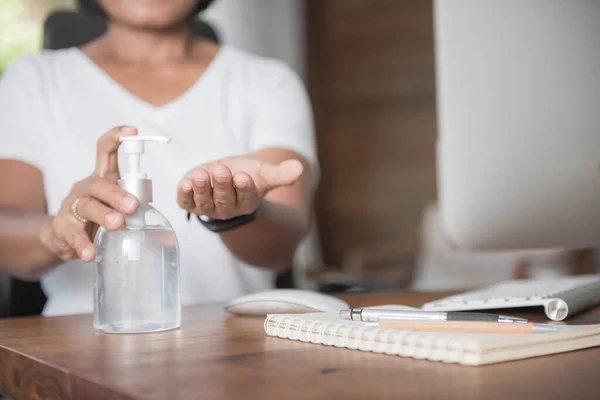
[[22, 253]]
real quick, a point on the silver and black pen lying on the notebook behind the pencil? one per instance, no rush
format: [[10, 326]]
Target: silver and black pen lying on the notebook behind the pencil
[[374, 315]]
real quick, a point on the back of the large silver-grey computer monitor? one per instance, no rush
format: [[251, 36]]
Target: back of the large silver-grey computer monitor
[[518, 152]]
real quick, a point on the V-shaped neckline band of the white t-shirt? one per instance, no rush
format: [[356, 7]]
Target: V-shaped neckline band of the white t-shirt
[[156, 112]]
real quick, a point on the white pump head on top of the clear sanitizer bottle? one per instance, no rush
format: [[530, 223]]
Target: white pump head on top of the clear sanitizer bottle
[[132, 179]]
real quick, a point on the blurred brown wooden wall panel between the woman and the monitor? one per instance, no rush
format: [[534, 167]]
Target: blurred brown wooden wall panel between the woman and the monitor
[[371, 78]]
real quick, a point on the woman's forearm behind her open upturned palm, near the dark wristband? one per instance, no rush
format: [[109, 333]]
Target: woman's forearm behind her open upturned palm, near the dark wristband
[[271, 239]]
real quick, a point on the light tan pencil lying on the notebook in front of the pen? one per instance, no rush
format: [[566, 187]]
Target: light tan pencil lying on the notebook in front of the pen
[[463, 326]]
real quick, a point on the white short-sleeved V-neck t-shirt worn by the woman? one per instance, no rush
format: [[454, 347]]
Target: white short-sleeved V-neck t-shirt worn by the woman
[[55, 105]]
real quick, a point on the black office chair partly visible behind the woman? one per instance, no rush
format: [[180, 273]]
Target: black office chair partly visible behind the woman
[[64, 29]]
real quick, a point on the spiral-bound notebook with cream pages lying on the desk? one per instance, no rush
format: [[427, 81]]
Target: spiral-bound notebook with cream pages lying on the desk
[[465, 349]]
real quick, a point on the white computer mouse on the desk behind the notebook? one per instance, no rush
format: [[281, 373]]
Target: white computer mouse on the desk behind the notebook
[[285, 301]]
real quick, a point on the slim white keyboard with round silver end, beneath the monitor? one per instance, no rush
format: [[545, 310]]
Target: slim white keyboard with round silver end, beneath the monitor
[[560, 297]]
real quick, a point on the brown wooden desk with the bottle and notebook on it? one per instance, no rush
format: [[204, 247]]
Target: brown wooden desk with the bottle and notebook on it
[[216, 356]]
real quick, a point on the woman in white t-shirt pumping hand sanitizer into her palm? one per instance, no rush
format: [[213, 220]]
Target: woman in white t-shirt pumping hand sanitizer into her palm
[[242, 138]]
